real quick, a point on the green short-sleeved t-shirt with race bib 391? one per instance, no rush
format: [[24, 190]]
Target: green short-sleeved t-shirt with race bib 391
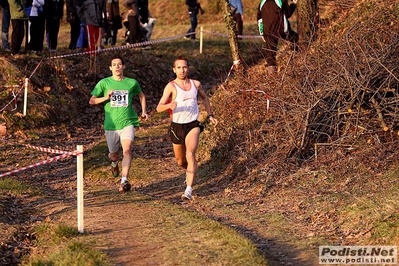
[[119, 112]]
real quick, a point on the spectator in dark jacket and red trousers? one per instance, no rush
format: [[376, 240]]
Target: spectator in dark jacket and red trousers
[[92, 14]]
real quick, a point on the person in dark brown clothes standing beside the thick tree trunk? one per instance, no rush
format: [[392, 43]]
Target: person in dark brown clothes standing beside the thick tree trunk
[[274, 14]]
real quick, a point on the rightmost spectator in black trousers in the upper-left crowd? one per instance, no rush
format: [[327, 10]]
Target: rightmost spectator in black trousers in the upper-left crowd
[[135, 34]]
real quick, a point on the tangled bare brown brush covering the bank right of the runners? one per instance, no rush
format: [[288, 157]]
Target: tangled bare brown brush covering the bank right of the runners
[[338, 93]]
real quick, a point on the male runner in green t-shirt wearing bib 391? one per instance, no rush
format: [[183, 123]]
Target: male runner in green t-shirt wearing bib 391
[[117, 92]]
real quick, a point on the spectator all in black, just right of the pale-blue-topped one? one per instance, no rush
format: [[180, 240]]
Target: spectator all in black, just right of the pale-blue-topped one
[[54, 11]]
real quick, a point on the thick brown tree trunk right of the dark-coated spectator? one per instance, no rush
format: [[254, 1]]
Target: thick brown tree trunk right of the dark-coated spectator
[[308, 20]]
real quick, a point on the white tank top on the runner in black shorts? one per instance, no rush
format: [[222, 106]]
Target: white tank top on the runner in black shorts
[[186, 110]]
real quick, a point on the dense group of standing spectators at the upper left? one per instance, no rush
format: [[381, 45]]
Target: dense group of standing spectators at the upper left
[[93, 23]]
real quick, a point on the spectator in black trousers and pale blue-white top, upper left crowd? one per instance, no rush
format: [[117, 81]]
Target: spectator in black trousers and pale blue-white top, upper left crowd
[[37, 26]]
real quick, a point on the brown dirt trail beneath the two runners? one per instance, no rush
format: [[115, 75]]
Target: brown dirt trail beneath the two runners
[[122, 224]]
